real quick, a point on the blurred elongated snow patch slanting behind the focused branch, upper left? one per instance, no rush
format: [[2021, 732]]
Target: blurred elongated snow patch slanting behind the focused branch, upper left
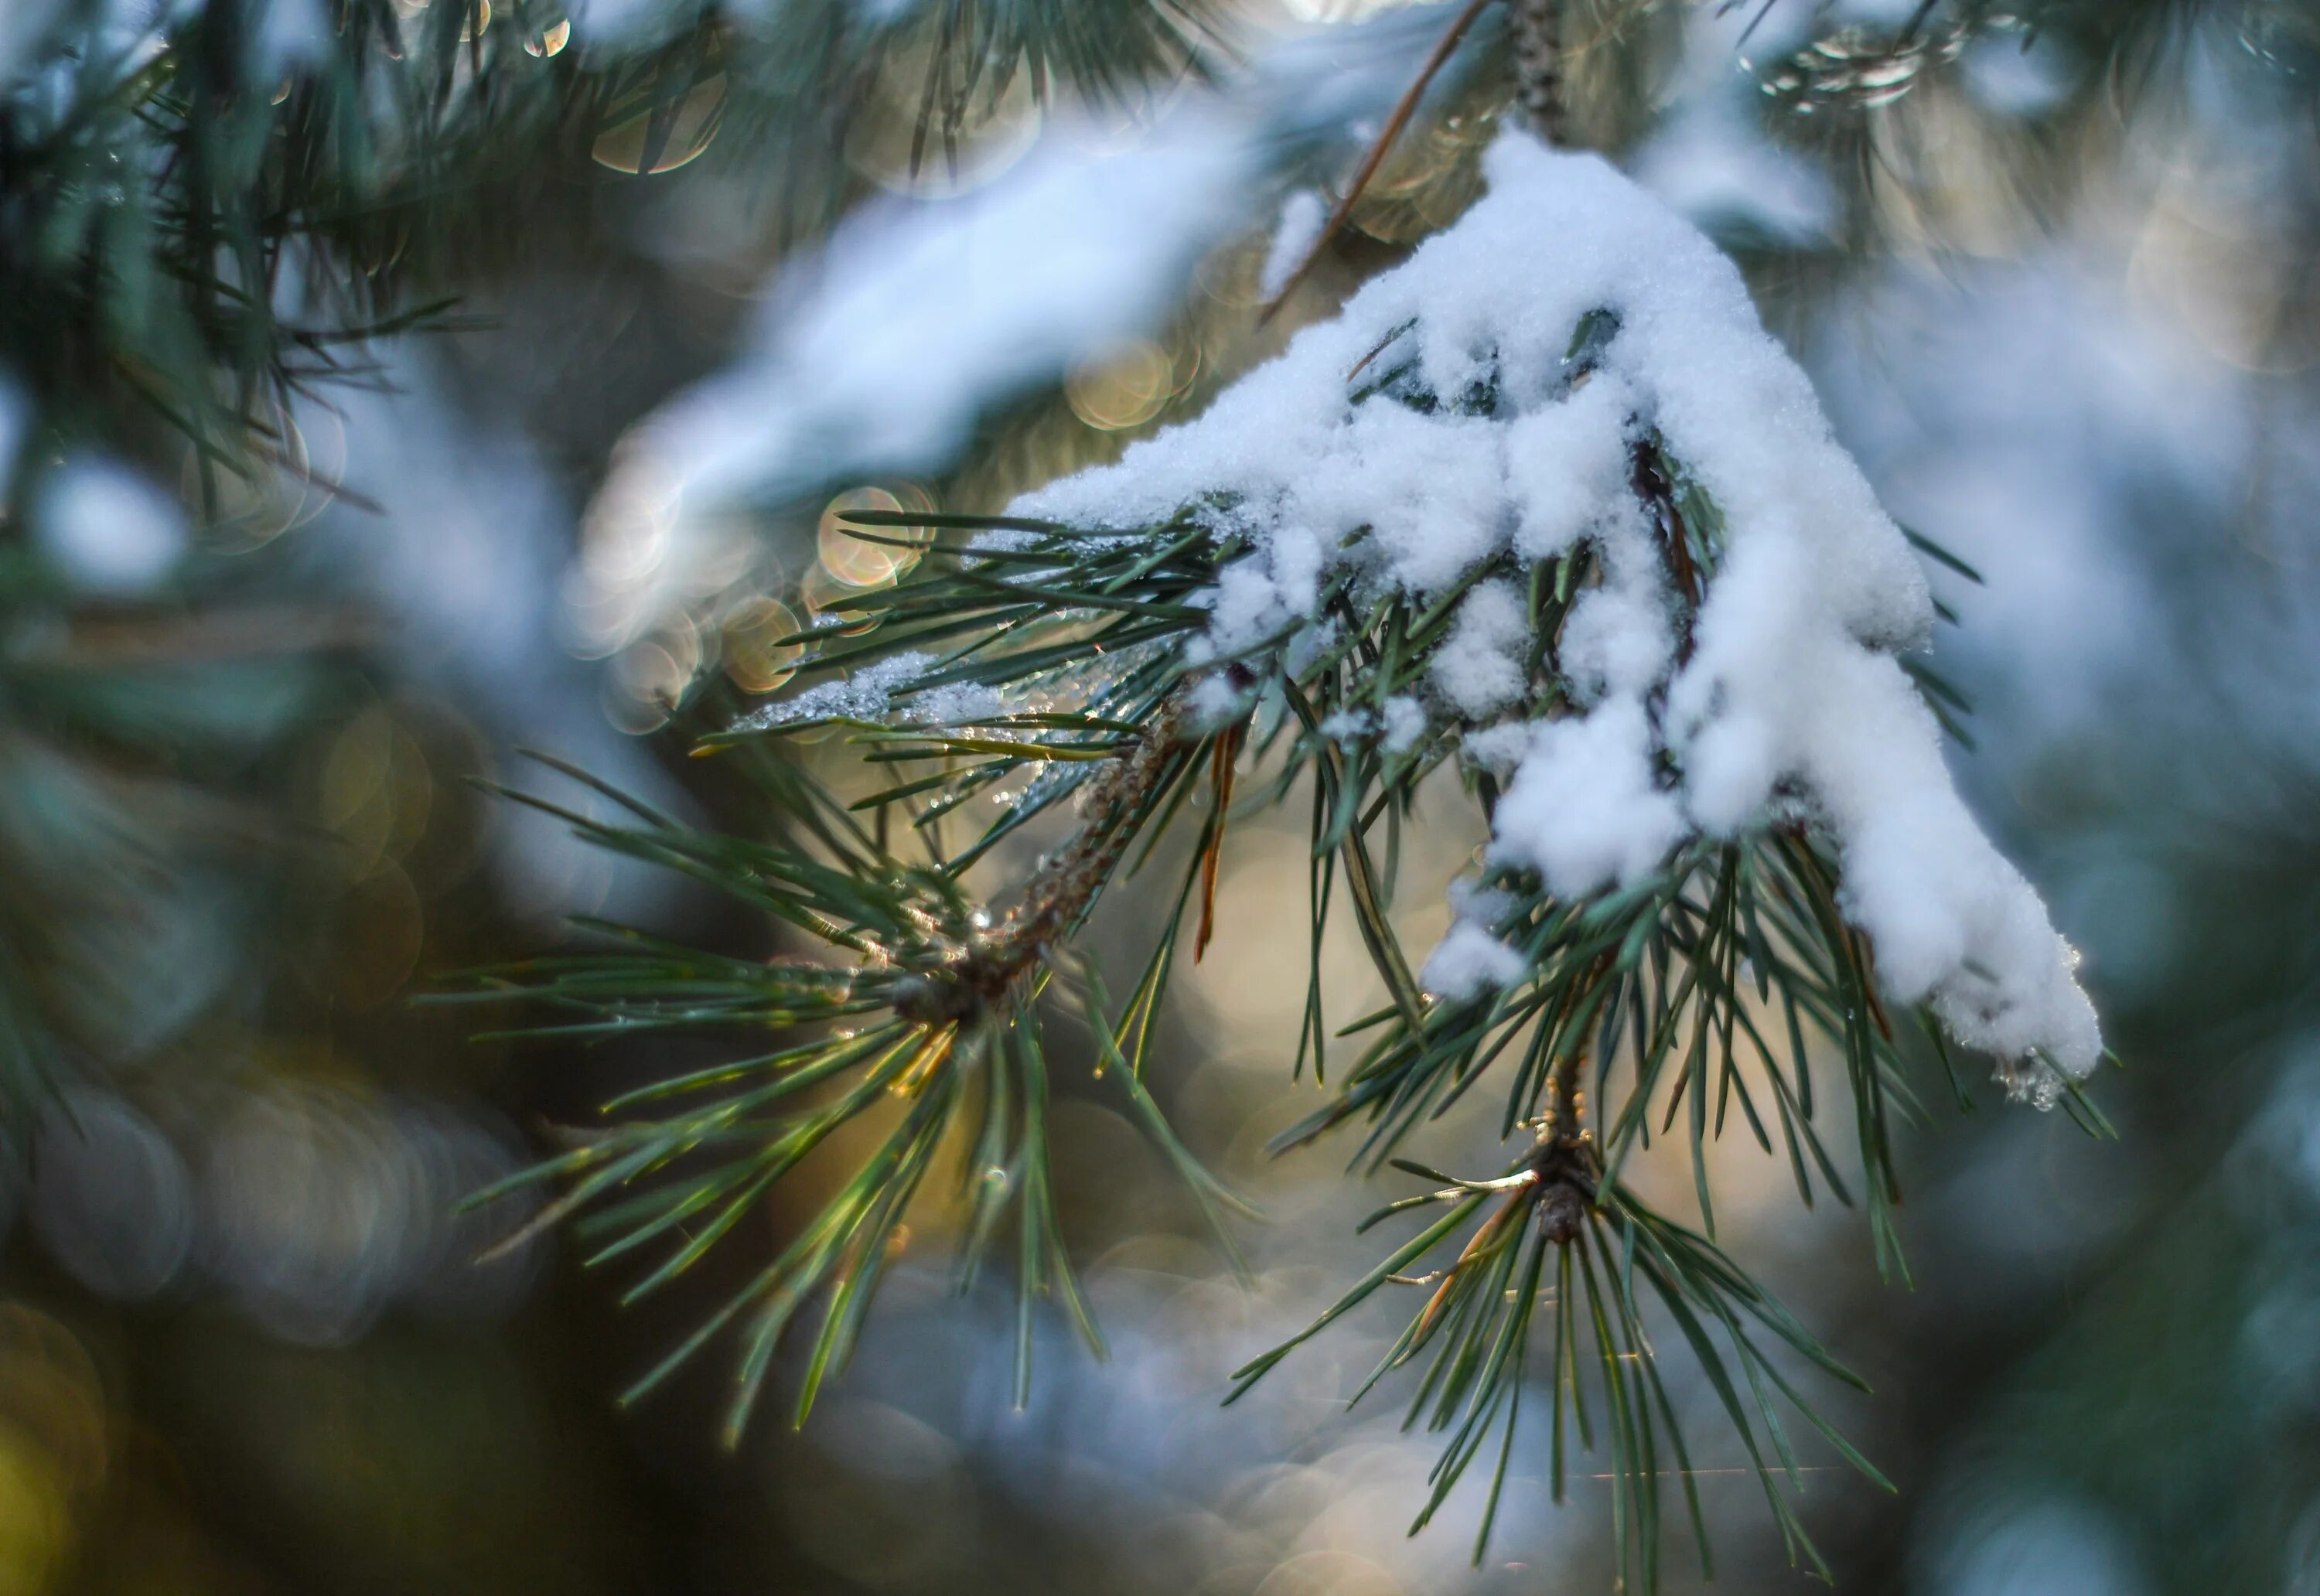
[[880, 351]]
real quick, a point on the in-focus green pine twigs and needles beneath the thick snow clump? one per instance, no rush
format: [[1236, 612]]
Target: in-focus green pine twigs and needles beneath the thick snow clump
[[1639, 999]]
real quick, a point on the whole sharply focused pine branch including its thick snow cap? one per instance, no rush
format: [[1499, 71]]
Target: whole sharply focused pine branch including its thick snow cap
[[1546, 505]]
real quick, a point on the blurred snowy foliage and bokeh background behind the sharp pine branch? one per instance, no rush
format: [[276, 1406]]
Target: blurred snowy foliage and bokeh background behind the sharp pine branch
[[389, 386]]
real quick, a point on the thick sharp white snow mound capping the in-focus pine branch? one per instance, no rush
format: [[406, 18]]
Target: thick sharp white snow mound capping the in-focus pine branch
[[1790, 702]]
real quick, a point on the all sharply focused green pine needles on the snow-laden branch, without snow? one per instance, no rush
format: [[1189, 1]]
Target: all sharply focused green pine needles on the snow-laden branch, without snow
[[1660, 1008]]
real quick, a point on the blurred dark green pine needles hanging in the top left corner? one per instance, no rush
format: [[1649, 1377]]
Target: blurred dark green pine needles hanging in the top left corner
[[198, 226]]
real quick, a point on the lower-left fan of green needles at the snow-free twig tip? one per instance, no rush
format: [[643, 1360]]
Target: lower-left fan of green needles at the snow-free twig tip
[[929, 1020]]
